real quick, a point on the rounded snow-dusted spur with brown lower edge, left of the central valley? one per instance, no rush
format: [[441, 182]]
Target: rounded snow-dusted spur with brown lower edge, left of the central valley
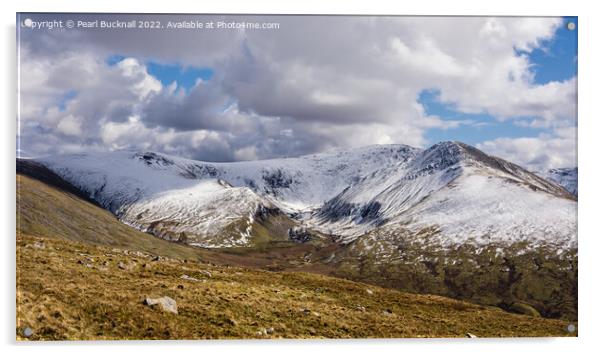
[[198, 215]]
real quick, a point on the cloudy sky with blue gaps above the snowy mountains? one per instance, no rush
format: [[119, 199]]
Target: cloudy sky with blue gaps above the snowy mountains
[[505, 85]]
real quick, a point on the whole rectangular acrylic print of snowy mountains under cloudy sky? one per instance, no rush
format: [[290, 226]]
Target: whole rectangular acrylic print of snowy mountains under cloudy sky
[[264, 177]]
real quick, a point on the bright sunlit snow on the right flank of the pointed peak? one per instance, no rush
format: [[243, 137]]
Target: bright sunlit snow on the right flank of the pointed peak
[[484, 209]]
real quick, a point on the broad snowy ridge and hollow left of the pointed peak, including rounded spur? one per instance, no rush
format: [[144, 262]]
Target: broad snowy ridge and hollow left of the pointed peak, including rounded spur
[[197, 202]]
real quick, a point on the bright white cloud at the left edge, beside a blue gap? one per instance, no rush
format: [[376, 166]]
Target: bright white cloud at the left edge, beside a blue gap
[[99, 94]]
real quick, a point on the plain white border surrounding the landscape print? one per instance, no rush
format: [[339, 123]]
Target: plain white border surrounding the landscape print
[[589, 169]]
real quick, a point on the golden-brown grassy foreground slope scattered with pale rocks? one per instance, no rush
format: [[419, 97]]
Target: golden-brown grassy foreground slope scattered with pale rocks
[[69, 290]]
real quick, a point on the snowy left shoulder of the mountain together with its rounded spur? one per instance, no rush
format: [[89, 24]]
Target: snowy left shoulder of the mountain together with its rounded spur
[[159, 197]]
